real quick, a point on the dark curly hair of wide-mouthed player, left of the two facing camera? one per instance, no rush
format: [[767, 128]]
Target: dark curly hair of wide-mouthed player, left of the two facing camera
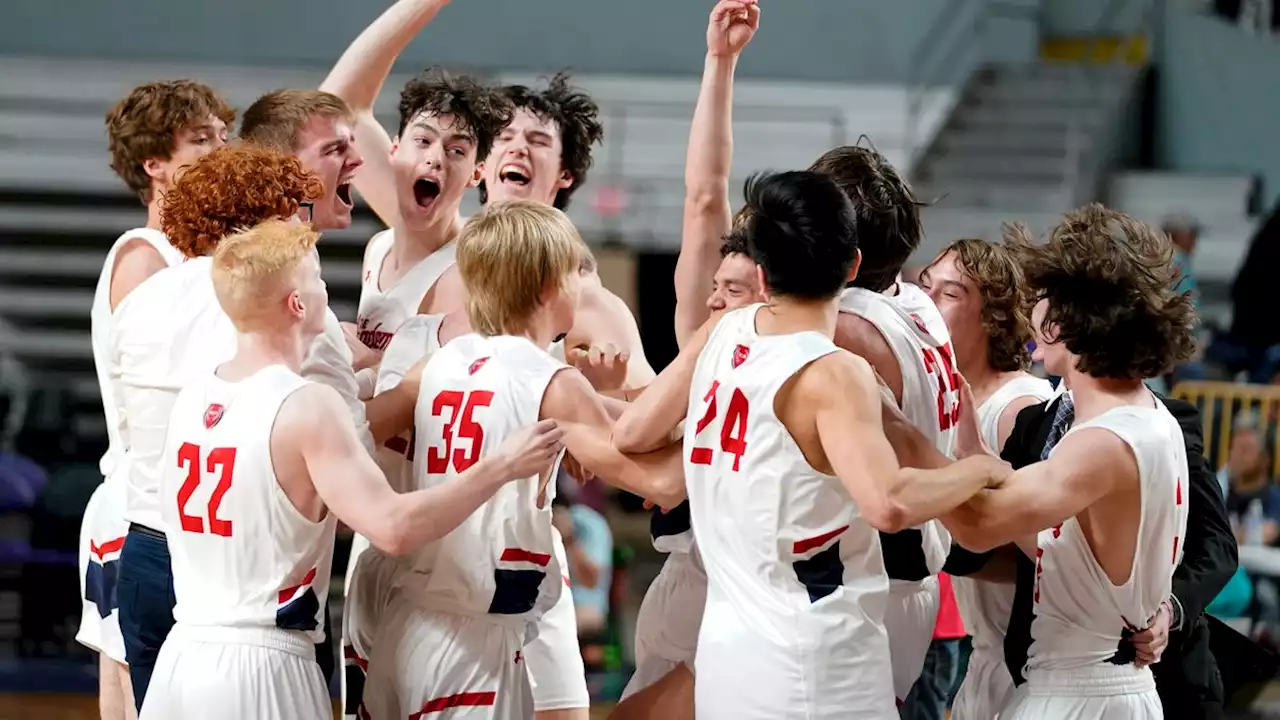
[[477, 110]]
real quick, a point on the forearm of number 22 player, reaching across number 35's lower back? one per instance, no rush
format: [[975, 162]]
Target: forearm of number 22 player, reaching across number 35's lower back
[[428, 516]]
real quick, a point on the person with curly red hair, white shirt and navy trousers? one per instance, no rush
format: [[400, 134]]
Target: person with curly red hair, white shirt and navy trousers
[[173, 327]]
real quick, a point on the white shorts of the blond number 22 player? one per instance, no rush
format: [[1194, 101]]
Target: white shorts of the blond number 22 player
[[220, 673]]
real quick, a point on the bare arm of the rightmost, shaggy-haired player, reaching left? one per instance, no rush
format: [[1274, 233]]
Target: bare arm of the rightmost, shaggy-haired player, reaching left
[[1086, 467]]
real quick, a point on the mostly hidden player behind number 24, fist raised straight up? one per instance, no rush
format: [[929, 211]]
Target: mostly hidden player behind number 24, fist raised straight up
[[673, 608]]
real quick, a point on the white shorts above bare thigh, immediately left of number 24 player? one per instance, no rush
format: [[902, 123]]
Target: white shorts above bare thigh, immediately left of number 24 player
[[670, 618]]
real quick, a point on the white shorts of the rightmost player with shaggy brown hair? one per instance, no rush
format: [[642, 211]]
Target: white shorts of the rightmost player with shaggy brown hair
[[1114, 692]]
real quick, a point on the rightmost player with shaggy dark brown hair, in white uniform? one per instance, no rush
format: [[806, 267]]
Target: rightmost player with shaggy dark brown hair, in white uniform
[[1104, 514]]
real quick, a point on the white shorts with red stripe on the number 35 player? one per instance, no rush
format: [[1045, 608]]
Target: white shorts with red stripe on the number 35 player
[[431, 662]]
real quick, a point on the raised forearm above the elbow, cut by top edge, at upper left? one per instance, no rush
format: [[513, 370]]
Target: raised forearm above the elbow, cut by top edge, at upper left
[[360, 74]]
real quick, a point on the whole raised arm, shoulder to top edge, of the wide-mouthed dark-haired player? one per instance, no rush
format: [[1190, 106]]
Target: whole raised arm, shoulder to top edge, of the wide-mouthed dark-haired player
[[359, 78]]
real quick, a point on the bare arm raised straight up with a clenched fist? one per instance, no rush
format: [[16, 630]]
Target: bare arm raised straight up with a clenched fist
[[708, 162]]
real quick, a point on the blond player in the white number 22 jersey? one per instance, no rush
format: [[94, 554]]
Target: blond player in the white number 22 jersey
[[260, 457]]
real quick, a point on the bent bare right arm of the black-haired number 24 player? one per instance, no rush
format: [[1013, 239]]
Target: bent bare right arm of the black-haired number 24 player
[[847, 400]]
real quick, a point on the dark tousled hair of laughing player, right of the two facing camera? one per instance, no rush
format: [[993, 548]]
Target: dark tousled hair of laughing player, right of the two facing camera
[[578, 119]]
